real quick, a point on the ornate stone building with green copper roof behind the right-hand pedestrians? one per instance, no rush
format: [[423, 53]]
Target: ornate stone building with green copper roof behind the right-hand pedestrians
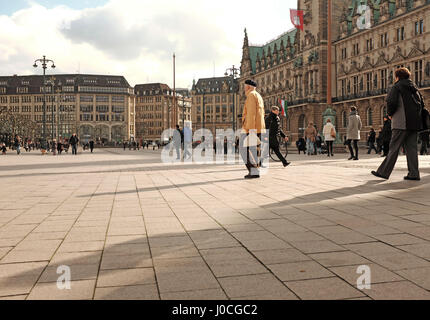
[[293, 67]]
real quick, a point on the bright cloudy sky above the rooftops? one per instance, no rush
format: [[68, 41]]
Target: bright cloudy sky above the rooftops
[[136, 38]]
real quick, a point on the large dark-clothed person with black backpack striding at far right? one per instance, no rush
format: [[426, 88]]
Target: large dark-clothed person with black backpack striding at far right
[[405, 106]]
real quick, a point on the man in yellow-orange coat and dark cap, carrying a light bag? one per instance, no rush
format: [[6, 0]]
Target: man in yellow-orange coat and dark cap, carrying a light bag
[[252, 124]]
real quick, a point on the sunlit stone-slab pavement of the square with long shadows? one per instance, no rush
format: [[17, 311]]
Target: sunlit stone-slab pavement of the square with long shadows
[[131, 228]]
